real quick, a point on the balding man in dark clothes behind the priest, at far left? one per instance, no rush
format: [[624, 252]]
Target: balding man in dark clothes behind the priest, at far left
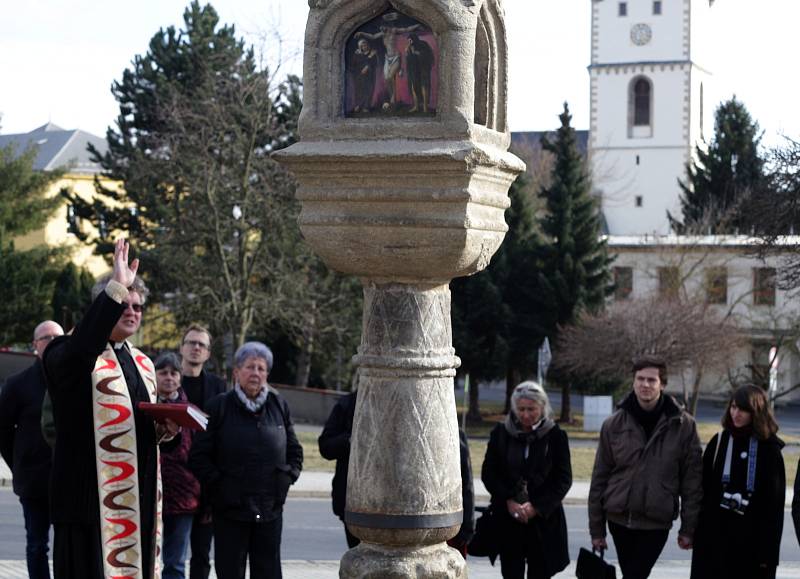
[[26, 452]]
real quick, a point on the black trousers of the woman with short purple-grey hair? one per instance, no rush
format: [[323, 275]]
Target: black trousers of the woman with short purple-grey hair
[[236, 541]]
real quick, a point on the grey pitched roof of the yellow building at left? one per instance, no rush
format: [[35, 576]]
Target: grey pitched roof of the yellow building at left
[[58, 148]]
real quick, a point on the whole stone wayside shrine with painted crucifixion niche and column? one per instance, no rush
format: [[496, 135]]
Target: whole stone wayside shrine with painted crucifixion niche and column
[[403, 171]]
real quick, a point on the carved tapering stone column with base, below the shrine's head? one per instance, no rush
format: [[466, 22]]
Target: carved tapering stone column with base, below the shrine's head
[[404, 483]]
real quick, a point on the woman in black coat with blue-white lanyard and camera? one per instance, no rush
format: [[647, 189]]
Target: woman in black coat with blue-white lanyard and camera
[[744, 485]]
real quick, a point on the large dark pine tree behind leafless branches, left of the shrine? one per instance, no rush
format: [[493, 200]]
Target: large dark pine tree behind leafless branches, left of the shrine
[[212, 214]]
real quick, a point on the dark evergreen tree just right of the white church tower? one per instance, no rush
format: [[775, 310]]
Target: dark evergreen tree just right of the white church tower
[[720, 179]]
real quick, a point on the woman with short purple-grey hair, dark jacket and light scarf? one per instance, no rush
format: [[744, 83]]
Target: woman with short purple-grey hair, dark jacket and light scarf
[[248, 458]]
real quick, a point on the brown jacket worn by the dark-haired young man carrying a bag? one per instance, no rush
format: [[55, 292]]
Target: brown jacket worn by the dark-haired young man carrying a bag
[[637, 482]]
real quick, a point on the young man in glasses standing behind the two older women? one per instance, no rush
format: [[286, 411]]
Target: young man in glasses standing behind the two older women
[[200, 387]]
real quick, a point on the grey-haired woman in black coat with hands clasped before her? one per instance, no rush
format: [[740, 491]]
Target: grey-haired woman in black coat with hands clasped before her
[[527, 472]]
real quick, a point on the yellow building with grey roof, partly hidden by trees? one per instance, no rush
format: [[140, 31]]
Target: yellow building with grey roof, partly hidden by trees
[[58, 148]]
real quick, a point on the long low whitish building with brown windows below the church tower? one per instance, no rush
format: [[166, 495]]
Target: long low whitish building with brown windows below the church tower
[[725, 273]]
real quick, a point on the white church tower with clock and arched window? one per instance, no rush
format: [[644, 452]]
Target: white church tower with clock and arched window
[[648, 106]]
